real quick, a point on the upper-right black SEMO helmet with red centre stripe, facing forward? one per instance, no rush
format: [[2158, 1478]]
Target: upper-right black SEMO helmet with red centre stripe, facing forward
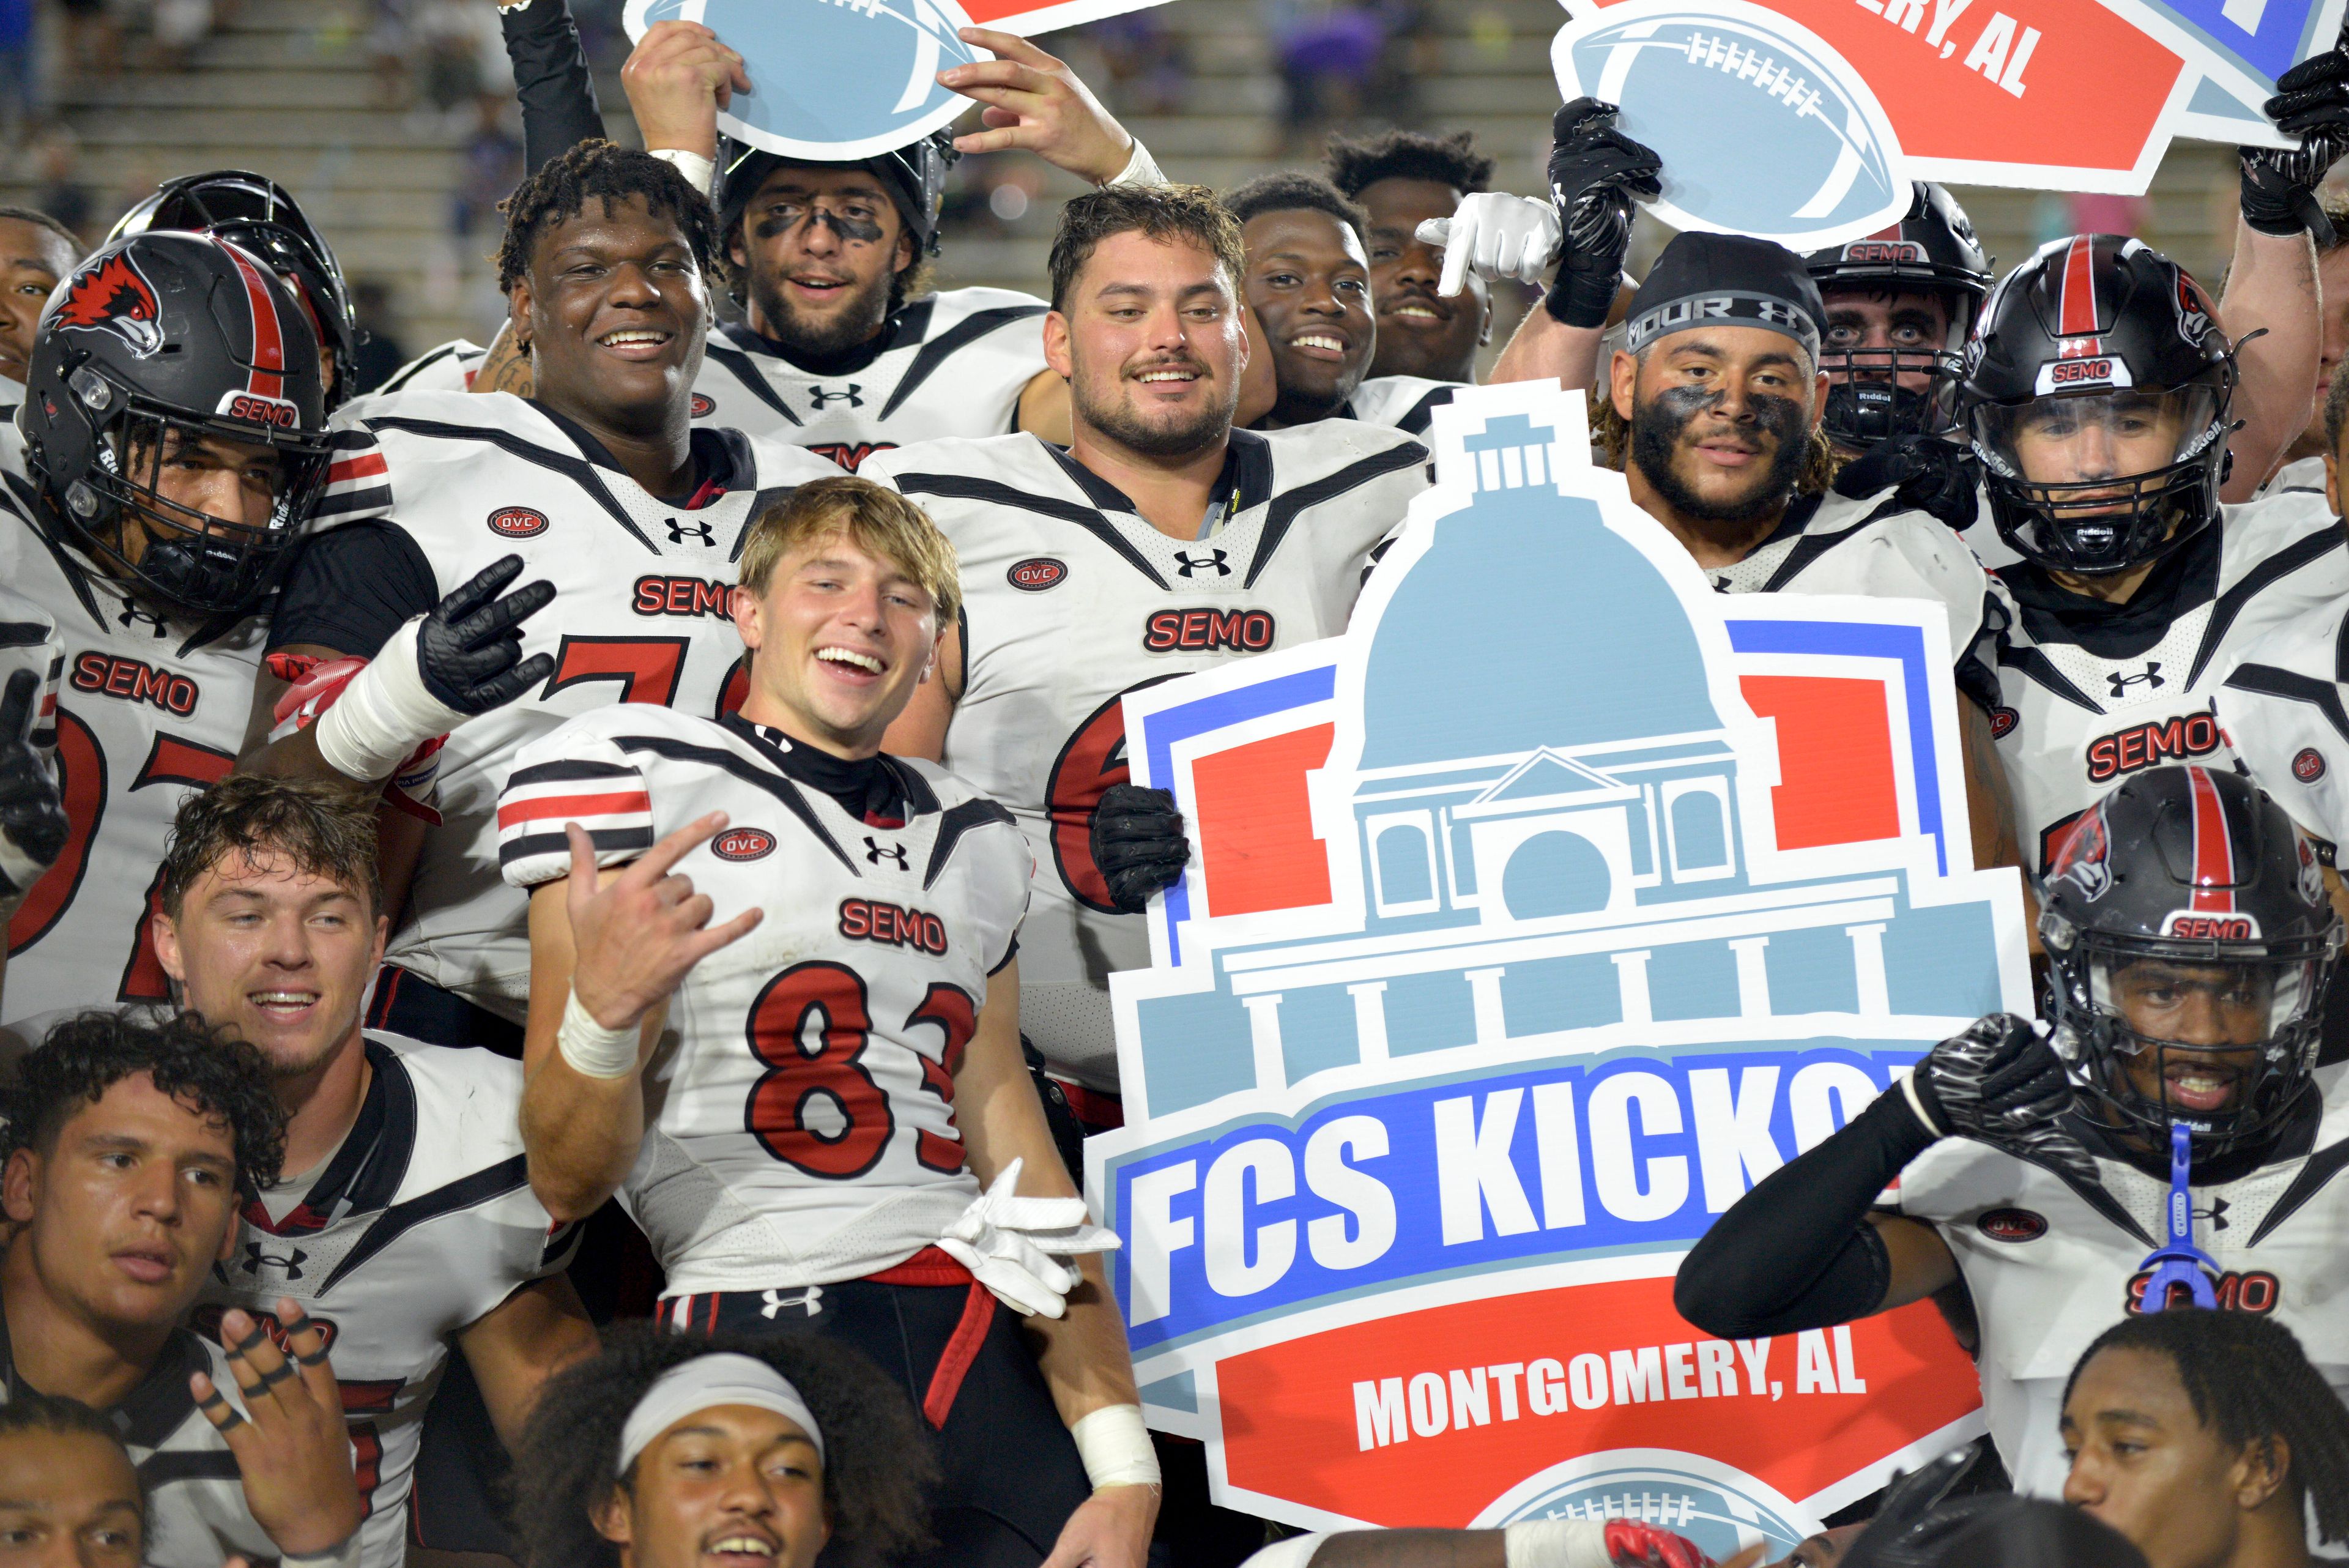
[[2096, 396]]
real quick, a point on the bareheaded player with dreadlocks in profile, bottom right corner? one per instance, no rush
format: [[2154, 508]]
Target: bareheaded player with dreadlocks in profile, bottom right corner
[[2207, 1438]]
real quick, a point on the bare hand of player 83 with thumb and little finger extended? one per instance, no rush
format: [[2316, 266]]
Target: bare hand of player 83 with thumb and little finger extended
[[642, 934]]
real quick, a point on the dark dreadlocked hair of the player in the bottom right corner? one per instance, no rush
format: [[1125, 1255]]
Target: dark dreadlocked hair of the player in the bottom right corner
[[2254, 1386]]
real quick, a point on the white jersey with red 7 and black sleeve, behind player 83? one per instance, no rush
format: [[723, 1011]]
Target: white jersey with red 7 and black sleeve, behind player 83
[[640, 615]]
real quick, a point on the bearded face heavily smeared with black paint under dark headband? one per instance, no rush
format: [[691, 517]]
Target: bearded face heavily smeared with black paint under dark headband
[[1721, 420]]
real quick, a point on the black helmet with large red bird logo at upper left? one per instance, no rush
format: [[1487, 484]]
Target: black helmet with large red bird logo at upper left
[[159, 342]]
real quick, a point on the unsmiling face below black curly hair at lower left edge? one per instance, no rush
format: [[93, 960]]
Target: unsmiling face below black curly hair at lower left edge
[[128, 1209]]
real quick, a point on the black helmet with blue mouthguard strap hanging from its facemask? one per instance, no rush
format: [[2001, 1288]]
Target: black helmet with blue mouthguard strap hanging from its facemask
[[2186, 923]]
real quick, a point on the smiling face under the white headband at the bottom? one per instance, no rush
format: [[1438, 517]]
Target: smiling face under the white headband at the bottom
[[732, 1487]]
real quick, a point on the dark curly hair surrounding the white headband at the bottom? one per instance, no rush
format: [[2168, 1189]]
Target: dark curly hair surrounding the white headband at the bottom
[[877, 1459]]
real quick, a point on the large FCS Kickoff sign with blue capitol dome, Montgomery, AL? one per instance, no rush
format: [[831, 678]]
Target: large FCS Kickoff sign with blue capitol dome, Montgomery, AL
[[1507, 965]]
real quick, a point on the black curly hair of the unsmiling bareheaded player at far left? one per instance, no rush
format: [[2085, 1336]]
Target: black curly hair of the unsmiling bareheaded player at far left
[[208, 1071]]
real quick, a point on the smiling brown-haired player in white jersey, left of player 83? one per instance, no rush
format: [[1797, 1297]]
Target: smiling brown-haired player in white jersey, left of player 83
[[405, 1221]]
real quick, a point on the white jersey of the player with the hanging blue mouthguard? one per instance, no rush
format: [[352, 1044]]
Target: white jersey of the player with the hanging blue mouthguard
[[2054, 1266]]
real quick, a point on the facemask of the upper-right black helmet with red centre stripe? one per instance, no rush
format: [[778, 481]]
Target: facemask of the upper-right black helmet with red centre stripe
[[2104, 481]]
